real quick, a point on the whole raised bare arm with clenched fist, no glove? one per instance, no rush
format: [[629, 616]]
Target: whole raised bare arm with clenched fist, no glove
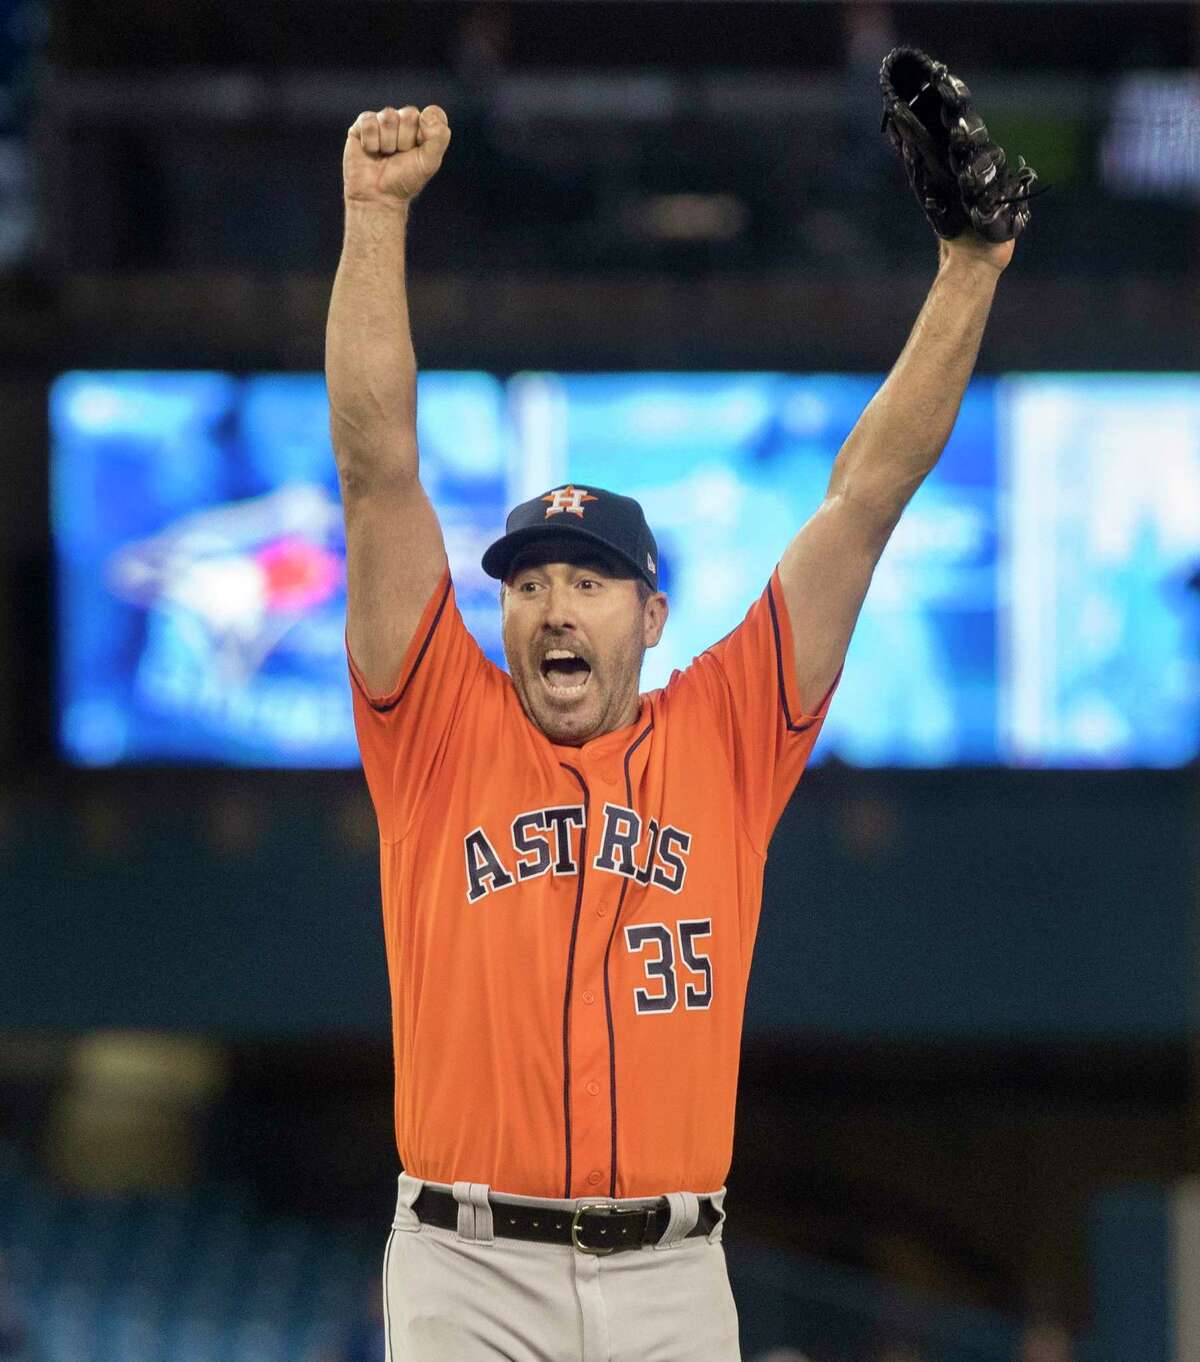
[[394, 547]]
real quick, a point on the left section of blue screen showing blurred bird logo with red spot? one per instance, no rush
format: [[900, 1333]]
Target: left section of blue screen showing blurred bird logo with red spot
[[202, 560]]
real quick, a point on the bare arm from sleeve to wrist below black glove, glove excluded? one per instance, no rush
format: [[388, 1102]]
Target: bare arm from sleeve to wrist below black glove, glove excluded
[[898, 439]]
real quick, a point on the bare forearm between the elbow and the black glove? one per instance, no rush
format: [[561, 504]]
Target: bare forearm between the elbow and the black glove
[[902, 432]]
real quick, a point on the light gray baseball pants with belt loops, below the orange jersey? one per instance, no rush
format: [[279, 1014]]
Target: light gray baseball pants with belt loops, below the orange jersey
[[472, 1296]]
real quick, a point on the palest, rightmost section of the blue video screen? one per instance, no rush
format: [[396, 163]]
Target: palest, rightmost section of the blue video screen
[[1103, 571]]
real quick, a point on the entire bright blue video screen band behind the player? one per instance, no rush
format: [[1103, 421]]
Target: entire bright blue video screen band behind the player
[[1036, 607]]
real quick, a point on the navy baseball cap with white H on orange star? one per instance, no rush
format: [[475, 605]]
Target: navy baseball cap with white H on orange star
[[581, 514]]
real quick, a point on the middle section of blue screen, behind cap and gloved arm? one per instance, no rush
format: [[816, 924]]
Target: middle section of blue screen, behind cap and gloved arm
[[728, 469]]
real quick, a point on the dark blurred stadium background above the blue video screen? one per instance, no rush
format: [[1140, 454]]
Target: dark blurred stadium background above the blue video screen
[[653, 185]]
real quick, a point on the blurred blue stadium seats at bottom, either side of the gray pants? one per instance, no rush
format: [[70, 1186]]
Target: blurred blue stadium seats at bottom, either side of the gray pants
[[201, 1276]]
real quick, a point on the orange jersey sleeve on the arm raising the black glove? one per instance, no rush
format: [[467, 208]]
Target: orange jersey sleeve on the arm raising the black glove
[[748, 682]]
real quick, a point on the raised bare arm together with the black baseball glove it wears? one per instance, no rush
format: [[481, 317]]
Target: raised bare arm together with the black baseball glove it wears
[[979, 205]]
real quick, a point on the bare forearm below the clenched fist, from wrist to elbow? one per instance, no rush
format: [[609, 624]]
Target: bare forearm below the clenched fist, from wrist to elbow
[[371, 370]]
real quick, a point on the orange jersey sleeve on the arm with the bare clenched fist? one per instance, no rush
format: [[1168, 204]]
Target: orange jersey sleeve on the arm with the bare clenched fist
[[404, 735]]
